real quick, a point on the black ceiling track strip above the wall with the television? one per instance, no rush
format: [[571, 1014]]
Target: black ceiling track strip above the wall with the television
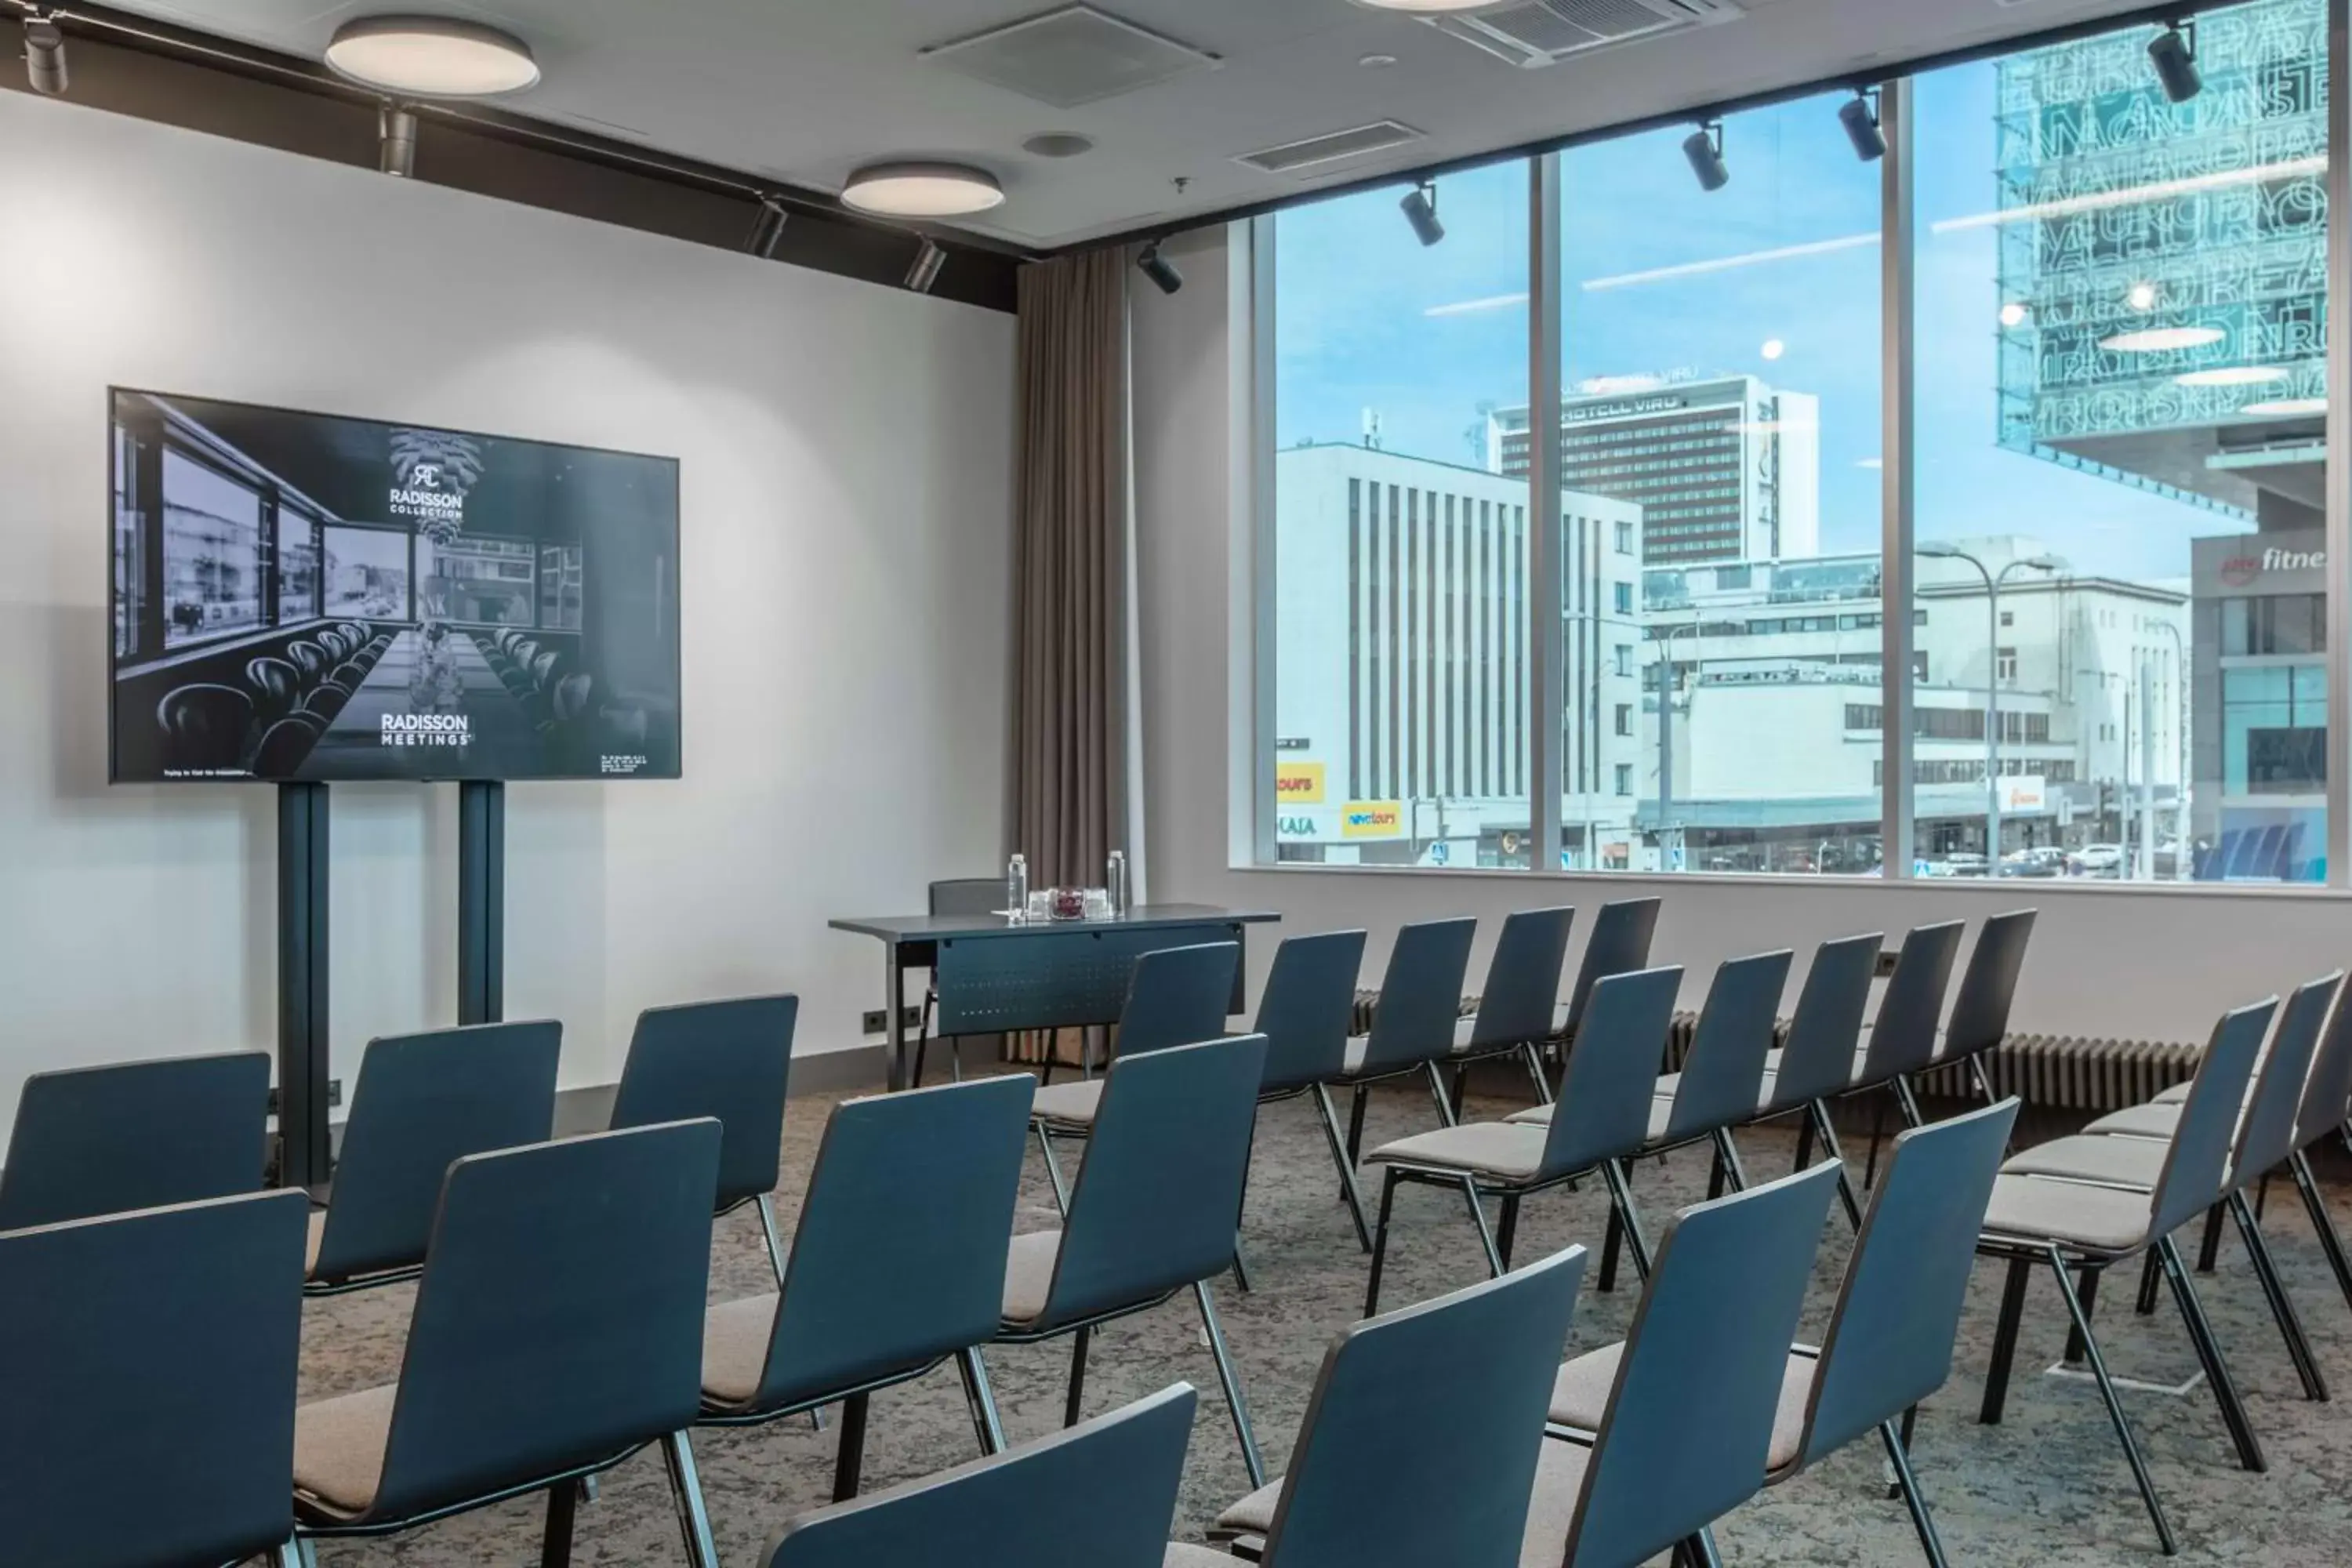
[[196, 81]]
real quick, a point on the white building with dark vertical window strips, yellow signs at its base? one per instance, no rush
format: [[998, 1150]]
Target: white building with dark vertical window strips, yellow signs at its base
[[1403, 662]]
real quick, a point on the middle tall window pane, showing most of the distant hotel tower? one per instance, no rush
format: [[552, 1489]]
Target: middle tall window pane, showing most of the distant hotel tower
[[1720, 408]]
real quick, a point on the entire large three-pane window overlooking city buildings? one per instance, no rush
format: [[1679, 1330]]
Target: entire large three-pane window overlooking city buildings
[[2116, 662]]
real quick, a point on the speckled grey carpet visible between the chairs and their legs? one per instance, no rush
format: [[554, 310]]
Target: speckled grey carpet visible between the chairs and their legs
[[2045, 1489]]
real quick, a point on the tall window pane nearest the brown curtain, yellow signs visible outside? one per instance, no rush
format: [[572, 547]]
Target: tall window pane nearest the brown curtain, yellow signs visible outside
[[1403, 530]]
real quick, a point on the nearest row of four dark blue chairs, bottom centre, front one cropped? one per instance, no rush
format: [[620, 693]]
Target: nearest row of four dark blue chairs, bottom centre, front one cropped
[[1450, 1433]]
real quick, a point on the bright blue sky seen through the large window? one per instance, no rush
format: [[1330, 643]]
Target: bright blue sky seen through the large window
[[1358, 293]]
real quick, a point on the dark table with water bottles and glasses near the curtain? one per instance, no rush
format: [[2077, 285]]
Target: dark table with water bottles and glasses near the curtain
[[996, 977]]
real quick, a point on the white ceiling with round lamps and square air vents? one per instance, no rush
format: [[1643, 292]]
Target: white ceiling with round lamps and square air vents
[[806, 91]]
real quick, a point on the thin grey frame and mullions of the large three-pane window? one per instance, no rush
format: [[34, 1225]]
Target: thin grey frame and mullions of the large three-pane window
[[1252, 333]]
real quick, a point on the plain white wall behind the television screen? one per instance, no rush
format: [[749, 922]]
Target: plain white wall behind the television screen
[[846, 509]]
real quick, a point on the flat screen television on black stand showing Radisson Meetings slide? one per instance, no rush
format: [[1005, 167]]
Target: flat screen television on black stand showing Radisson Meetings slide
[[323, 598]]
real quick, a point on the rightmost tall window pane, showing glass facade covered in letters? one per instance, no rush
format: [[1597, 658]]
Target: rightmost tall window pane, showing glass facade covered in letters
[[2120, 453]]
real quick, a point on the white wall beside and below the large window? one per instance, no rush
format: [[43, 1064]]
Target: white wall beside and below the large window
[[2104, 960]]
